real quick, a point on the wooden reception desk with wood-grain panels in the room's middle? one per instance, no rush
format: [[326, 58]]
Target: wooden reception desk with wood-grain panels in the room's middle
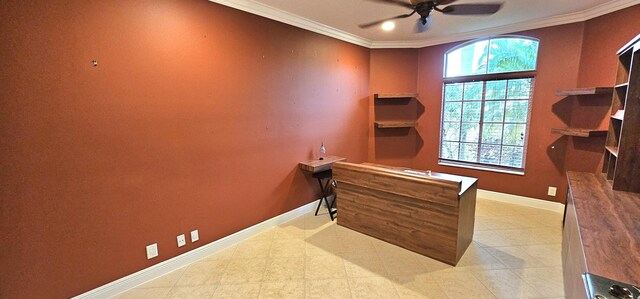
[[429, 213]]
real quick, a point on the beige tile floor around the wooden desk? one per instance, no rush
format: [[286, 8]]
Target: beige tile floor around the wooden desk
[[515, 254]]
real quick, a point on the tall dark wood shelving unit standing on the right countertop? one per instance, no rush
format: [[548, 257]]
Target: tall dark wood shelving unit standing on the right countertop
[[622, 160]]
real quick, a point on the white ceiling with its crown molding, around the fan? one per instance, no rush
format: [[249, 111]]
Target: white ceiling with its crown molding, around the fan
[[339, 18]]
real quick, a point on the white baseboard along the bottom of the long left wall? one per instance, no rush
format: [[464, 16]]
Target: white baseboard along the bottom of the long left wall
[[131, 281]]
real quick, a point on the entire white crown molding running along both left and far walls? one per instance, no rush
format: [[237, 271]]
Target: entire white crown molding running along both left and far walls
[[257, 8]]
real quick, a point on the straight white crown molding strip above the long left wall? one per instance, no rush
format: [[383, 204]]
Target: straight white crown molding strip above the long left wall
[[282, 16]]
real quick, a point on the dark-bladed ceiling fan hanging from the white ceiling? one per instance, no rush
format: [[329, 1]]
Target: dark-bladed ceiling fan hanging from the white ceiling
[[424, 8]]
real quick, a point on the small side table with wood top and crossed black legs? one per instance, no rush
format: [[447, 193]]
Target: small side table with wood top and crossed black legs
[[321, 170]]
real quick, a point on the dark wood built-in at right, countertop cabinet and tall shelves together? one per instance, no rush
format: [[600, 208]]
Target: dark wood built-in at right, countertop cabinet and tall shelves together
[[601, 233]]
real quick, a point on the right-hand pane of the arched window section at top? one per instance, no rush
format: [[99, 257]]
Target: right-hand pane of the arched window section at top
[[512, 54]]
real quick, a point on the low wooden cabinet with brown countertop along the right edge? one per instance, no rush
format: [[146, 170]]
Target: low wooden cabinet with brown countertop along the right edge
[[603, 223]]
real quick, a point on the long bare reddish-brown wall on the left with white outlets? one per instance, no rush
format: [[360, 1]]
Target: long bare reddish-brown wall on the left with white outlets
[[195, 117]]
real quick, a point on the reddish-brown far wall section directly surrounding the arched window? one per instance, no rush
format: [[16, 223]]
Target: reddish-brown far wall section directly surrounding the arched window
[[558, 57]]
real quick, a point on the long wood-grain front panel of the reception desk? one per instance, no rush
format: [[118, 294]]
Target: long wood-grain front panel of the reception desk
[[425, 227]]
